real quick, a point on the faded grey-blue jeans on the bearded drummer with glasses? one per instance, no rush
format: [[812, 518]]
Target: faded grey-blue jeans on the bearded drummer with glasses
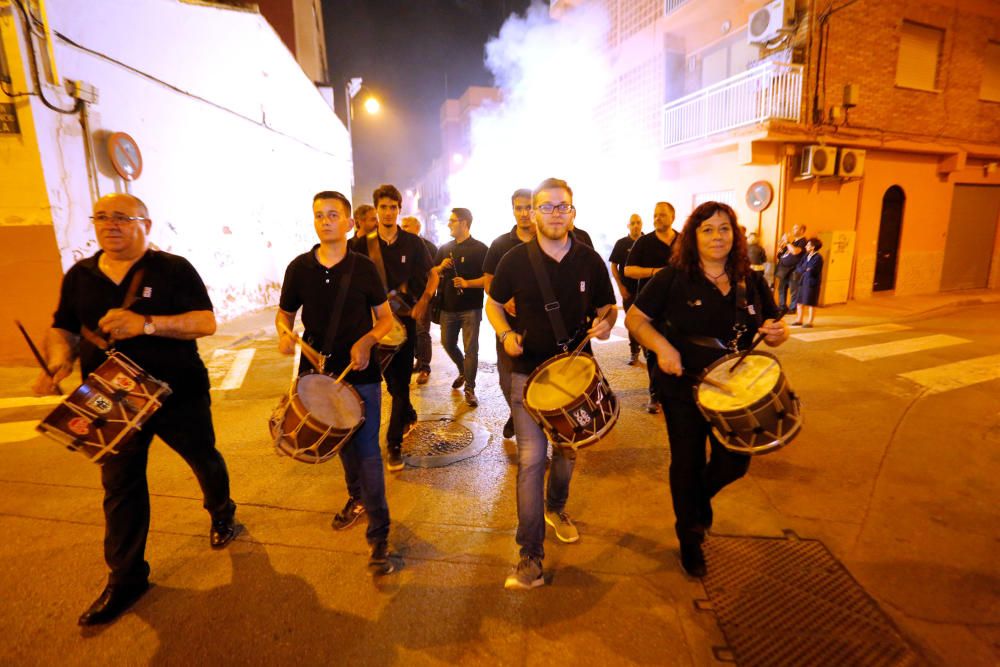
[[531, 449]]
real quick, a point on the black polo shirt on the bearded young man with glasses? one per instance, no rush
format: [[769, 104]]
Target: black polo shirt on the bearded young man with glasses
[[581, 285]]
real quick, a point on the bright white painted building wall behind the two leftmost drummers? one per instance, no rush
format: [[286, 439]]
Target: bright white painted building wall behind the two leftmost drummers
[[235, 140]]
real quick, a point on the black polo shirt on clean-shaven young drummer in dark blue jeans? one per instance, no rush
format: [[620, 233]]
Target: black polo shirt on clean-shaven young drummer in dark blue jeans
[[312, 287]]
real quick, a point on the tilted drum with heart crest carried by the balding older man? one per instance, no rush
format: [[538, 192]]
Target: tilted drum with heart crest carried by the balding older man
[[101, 415]]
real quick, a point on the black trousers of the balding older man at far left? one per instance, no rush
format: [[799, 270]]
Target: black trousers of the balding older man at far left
[[185, 424]]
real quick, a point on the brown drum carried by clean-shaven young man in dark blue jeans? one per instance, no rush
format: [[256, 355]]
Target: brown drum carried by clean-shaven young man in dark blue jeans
[[316, 419]]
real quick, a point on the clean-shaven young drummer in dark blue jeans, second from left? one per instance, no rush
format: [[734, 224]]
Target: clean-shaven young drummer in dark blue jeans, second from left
[[319, 282]]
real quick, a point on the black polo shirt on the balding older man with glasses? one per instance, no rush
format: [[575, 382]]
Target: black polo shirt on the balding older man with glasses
[[169, 286]]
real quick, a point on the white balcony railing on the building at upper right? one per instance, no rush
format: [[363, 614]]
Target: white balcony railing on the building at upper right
[[770, 91]]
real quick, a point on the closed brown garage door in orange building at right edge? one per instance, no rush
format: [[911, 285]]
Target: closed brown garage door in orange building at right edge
[[972, 231]]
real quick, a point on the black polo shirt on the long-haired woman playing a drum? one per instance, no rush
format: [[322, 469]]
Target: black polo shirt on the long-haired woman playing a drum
[[696, 307]]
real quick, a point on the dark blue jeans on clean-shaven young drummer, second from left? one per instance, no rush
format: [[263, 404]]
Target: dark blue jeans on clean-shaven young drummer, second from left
[[362, 461]]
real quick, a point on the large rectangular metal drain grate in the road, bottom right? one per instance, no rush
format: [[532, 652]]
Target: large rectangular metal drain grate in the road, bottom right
[[790, 602]]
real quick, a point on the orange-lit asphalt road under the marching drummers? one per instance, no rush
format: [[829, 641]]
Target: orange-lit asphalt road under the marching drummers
[[895, 472]]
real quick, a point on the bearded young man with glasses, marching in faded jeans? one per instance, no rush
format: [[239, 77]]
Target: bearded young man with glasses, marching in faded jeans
[[585, 304]]
